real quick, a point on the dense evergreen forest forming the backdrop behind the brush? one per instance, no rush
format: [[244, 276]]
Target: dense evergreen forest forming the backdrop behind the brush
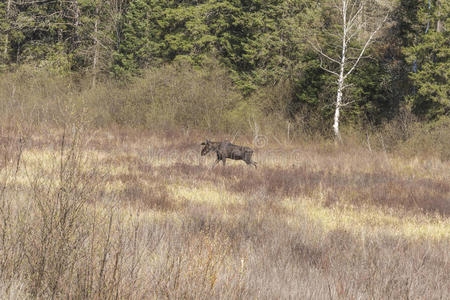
[[275, 49]]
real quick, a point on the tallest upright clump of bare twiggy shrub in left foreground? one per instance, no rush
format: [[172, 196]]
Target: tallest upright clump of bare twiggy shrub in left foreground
[[57, 225]]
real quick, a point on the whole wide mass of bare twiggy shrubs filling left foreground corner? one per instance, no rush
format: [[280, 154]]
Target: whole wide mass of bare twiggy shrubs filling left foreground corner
[[46, 225]]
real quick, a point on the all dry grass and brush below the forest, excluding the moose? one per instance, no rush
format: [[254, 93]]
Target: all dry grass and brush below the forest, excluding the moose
[[103, 194]]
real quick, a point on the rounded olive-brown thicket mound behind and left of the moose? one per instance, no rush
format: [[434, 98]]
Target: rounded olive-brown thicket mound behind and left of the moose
[[177, 96]]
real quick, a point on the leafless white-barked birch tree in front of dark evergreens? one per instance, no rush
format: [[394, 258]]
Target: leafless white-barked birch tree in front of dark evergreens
[[357, 23]]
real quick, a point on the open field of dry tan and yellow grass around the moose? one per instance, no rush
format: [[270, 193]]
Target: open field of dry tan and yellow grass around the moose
[[131, 214]]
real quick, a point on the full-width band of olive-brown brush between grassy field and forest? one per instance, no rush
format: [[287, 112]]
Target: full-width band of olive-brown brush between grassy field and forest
[[180, 97]]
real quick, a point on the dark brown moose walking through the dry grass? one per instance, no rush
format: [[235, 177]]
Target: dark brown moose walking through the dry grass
[[226, 150]]
